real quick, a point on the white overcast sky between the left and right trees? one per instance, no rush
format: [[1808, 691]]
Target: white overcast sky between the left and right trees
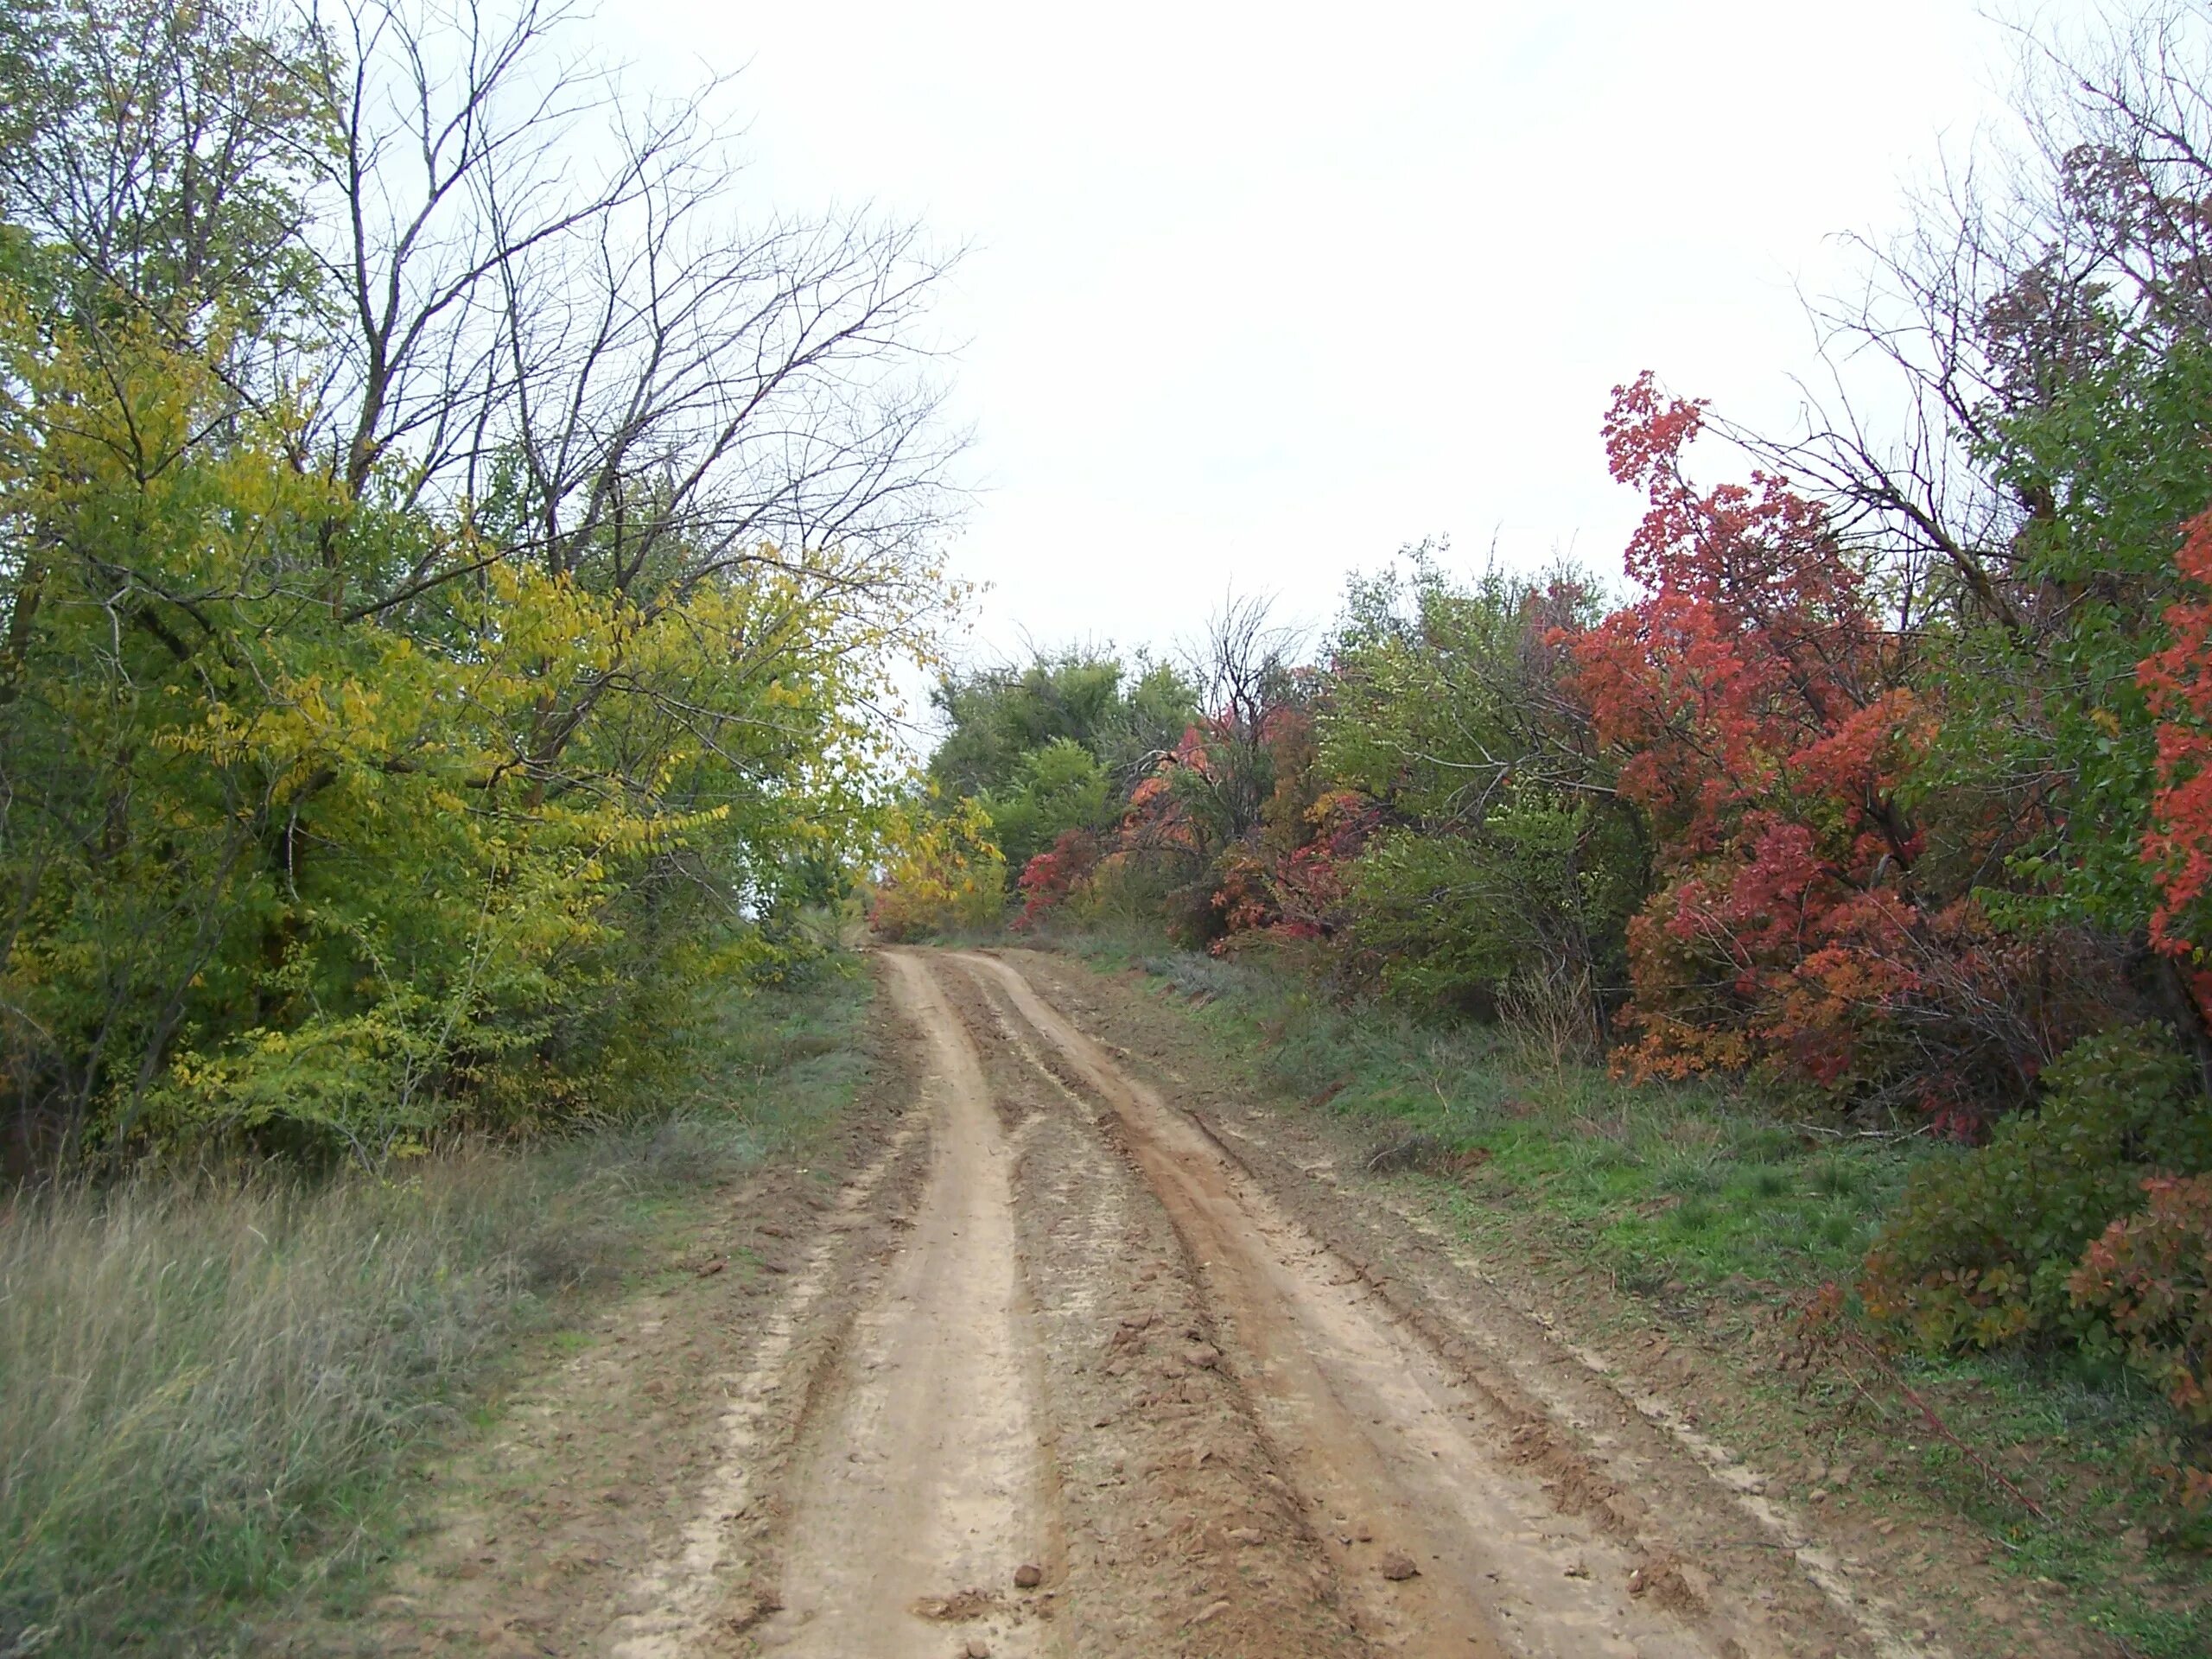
[[1260, 293]]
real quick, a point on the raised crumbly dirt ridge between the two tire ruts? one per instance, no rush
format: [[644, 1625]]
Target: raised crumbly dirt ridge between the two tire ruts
[[1182, 1536]]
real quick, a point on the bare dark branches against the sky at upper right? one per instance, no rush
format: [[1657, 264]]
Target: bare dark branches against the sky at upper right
[[2016, 273]]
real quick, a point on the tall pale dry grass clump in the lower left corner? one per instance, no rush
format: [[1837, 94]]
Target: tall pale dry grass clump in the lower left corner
[[194, 1379]]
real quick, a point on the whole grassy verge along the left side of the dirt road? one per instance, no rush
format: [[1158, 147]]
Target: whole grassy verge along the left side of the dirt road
[[211, 1390]]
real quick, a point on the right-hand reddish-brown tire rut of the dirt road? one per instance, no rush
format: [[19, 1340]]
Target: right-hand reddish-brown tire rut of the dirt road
[[1395, 1459]]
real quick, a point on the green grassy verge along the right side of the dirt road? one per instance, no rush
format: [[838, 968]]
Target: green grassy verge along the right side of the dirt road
[[1711, 1213]]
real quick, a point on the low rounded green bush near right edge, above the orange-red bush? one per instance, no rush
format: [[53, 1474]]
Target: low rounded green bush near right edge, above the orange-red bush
[[1983, 1246]]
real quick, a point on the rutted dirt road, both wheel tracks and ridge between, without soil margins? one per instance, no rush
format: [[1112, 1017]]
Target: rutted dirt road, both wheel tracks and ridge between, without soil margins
[[1107, 1359]]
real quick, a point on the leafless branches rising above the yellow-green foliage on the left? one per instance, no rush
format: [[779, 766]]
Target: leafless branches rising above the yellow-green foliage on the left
[[554, 313]]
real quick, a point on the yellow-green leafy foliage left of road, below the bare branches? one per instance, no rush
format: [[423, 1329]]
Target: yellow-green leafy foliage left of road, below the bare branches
[[280, 868]]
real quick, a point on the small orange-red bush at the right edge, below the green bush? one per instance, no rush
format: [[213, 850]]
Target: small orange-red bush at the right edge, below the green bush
[[2149, 1288]]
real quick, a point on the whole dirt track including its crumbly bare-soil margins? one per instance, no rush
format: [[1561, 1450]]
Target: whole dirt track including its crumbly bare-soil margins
[[1047, 1319]]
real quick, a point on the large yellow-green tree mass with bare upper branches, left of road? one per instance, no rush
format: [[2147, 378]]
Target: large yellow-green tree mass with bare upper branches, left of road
[[441, 623]]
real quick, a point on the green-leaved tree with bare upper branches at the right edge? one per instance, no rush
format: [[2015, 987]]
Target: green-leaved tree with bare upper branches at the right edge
[[2049, 340]]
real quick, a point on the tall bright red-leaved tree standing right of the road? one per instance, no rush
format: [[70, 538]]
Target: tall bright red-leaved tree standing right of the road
[[1766, 724]]
